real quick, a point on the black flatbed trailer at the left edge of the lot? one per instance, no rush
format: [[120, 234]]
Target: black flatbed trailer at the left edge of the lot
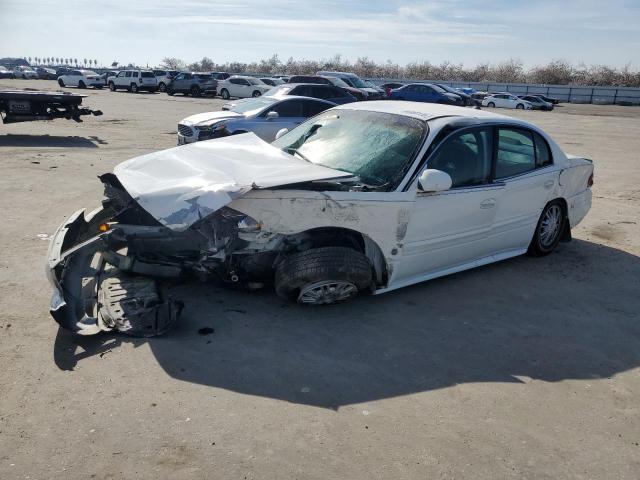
[[31, 105]]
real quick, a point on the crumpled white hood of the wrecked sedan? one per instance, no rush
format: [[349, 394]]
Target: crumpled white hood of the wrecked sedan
[[181, 185]]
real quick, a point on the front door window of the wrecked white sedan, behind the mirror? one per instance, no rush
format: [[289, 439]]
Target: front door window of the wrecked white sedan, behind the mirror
[[466, 156]]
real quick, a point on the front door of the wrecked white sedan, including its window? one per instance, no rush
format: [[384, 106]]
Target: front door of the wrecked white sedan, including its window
[[447, 230]]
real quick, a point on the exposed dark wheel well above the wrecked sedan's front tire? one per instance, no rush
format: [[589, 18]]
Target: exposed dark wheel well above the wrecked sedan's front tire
[[344, 237]]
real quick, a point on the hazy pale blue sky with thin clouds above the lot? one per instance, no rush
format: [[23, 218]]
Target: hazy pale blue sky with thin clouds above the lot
[[471, 32]]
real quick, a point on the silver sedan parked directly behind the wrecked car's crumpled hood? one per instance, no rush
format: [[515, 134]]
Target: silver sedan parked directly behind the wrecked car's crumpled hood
[[264, 116]]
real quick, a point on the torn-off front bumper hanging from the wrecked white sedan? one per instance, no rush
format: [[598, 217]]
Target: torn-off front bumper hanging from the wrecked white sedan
[[91, 296]]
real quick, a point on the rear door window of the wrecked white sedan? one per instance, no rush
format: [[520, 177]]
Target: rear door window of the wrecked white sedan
[[516, 152]]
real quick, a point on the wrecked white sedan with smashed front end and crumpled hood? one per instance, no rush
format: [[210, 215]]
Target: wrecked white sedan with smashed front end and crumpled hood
[[365, 197]]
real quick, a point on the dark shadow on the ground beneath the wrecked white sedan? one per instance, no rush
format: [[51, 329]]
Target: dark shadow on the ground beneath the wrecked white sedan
[[571, 315]]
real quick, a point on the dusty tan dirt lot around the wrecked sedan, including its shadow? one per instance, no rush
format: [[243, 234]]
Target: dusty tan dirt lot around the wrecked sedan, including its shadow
[[529, 368]]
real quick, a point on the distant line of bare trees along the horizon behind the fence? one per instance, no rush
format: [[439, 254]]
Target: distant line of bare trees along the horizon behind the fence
[[557, 72]]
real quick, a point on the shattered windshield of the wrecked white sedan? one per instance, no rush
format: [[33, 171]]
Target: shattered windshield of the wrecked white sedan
[[376, 147]]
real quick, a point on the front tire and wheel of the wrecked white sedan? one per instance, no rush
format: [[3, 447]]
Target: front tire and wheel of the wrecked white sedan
[[323, 276]]
